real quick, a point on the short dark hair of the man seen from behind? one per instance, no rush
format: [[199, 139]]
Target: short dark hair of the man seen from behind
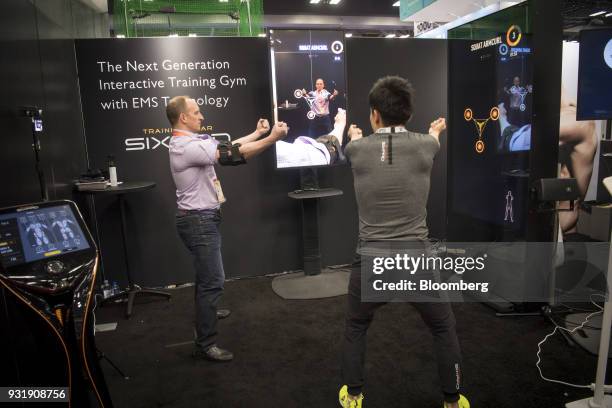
[[391, 96]]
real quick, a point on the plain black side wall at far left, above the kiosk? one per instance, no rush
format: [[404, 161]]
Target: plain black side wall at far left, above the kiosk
[[38, 69]]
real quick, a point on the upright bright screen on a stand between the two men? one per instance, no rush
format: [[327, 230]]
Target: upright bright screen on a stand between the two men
[[310, 87]]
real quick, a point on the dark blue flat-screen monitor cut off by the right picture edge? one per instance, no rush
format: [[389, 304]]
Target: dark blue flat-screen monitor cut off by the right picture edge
[[595, 75]]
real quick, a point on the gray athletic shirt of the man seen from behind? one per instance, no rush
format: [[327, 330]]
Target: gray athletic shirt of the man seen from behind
[[391, 174]]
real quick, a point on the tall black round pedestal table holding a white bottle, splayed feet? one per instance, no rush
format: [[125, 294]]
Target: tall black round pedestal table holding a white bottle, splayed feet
[[121, 190]]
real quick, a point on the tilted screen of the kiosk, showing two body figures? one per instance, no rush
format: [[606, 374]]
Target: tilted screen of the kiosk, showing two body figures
[[40, 233]]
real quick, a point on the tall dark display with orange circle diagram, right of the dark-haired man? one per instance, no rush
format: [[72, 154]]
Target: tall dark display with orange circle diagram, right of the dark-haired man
[[490, 103]]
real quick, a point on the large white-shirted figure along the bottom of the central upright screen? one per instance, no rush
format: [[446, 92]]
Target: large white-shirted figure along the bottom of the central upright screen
[[306, 151]]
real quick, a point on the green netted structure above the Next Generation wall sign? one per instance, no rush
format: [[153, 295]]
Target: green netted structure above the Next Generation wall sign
[[140, 18]]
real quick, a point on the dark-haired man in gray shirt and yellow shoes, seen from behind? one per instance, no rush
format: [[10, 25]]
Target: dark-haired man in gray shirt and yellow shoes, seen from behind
[[392, 188]]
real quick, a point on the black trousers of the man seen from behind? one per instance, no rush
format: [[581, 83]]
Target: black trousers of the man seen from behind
[[438, 317]]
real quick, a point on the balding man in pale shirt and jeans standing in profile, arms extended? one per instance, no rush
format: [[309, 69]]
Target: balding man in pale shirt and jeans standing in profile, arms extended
[[199, 198]]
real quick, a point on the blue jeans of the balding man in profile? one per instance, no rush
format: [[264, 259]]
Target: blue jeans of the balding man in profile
[[199, 231]]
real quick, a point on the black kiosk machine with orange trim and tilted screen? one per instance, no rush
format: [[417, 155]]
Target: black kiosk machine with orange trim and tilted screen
[[48, 269]]
